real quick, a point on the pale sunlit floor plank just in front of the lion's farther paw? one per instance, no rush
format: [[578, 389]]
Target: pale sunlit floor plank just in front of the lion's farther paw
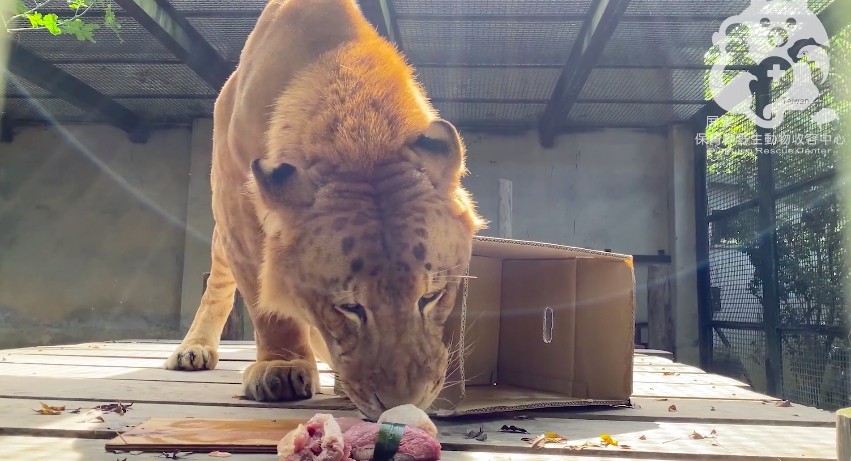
[[136, 374]]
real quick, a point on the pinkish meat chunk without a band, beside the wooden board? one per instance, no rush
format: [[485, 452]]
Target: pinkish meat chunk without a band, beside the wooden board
[[319, 440]]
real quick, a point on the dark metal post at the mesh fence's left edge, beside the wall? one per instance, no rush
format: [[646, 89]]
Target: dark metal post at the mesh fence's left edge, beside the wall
[[704, 282]]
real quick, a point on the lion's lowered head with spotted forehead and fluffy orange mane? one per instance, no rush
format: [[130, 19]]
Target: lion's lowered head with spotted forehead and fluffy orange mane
[[367, 228]]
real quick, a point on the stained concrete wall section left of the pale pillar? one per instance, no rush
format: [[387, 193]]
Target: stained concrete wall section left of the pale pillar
[[91, 235]]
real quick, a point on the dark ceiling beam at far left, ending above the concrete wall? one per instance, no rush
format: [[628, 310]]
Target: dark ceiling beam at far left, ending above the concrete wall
[[28, 66]]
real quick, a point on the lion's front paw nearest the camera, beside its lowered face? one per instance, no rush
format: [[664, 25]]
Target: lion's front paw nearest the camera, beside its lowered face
[[280, 380]]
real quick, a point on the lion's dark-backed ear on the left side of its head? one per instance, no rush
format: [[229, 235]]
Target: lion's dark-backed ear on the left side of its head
[[282, 184]]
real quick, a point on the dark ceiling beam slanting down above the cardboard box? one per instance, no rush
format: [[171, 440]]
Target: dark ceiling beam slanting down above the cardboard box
[[588, 46]]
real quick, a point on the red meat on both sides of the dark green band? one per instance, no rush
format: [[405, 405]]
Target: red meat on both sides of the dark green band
[[415, 445]]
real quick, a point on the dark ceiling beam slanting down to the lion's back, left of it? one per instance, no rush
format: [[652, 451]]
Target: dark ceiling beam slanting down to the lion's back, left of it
[[177, 35]]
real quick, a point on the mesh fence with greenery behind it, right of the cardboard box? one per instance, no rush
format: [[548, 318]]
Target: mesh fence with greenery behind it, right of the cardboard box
[[776, 308]]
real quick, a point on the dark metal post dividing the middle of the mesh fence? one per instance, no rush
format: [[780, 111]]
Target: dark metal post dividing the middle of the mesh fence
[[768, 243]]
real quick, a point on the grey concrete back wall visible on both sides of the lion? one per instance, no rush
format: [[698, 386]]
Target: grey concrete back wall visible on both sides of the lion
[[601, 190]]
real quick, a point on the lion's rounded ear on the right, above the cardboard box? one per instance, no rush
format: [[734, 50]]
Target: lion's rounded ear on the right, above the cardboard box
[[442, 152]]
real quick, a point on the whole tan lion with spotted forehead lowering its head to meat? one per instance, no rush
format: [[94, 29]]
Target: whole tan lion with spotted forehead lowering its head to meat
[[339, 214]]
